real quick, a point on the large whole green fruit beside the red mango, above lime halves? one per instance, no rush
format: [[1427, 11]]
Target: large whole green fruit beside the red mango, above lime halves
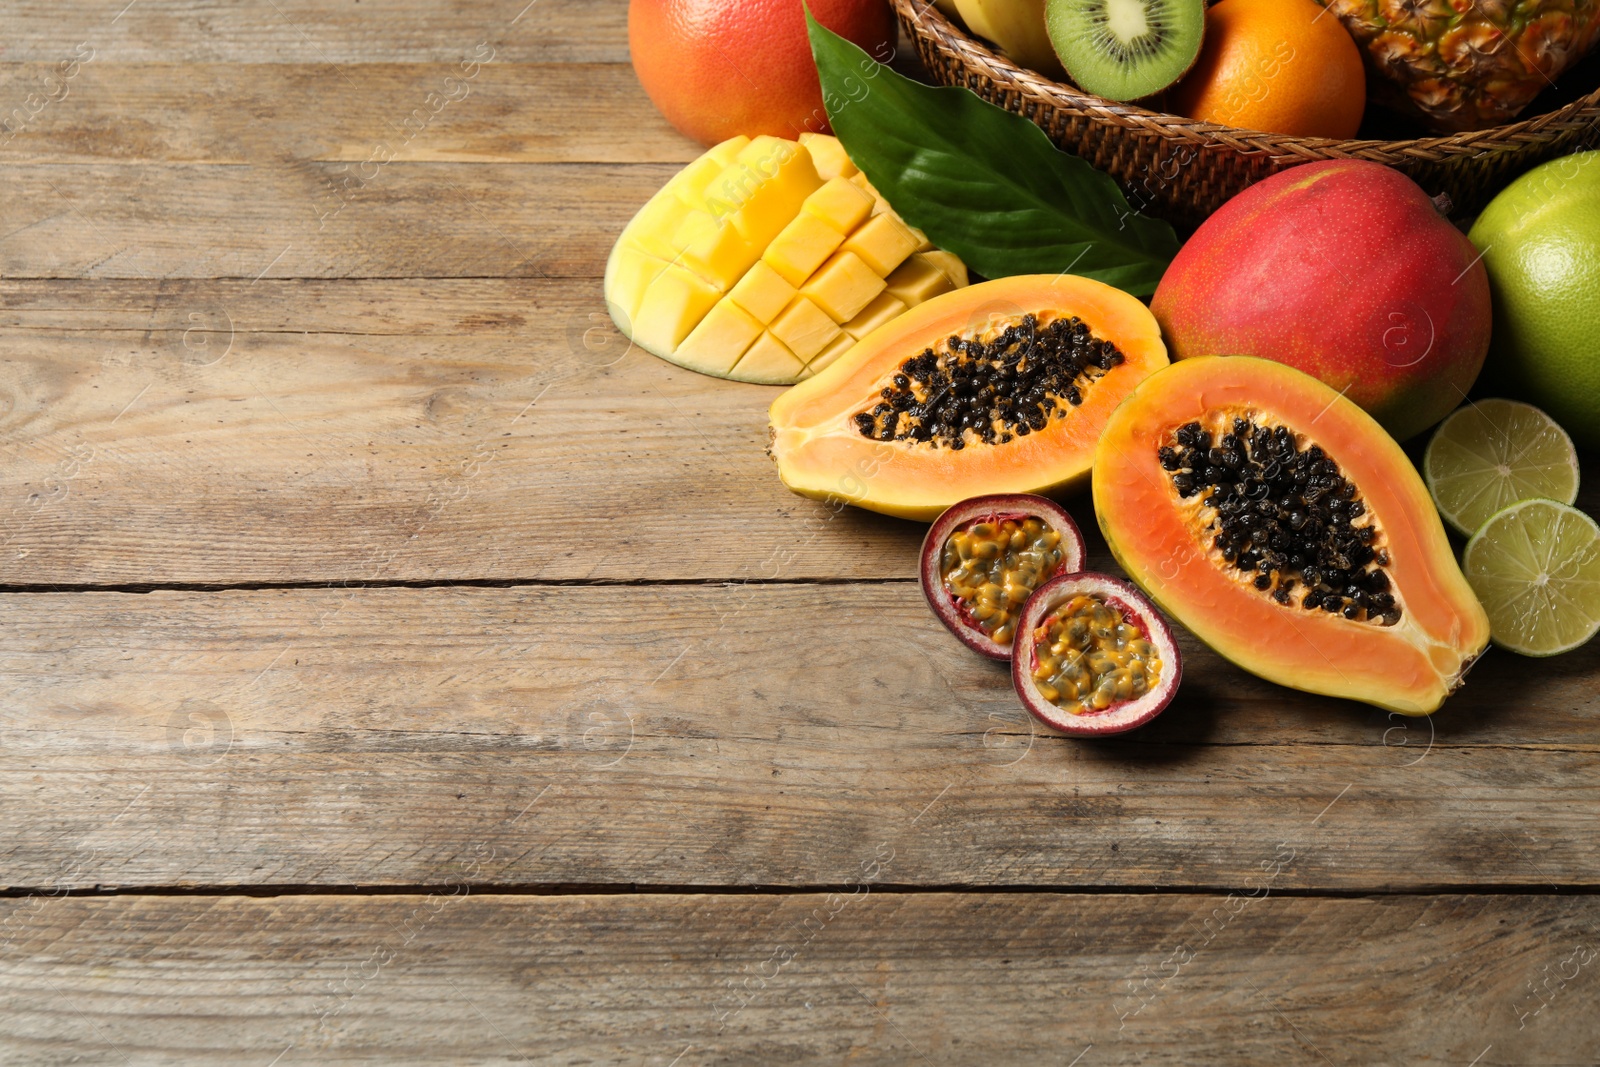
[[1542, 249]]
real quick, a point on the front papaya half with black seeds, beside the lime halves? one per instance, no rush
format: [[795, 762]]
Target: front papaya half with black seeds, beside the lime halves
[[1289, 532]]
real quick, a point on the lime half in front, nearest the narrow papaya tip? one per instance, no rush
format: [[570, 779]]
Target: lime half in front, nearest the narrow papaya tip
[[1537, 570]]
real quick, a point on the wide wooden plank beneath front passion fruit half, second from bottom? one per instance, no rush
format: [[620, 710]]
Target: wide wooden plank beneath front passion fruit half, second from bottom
[[686, 735]]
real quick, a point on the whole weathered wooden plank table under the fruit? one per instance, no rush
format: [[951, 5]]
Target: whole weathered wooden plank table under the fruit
[[398, 669]]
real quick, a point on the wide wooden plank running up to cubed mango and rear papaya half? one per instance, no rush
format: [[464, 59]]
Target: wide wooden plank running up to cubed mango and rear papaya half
[[242, 433]]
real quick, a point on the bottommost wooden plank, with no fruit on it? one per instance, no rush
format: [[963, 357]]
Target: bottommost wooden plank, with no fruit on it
[[801, 980]]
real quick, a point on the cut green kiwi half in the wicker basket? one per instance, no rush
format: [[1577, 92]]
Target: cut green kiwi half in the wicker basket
[[1126, 50]]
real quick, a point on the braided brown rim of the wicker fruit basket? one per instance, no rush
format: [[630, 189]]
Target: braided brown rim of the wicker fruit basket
[[924, 18]]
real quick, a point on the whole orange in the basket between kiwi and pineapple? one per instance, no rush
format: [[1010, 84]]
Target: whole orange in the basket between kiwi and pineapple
[[1278, 66]]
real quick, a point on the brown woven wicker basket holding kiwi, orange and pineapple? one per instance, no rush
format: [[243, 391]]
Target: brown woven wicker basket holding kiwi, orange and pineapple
[[1183, 170]]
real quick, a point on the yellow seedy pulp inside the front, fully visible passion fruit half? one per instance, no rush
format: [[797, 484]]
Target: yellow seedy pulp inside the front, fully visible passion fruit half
[[1089, 655]]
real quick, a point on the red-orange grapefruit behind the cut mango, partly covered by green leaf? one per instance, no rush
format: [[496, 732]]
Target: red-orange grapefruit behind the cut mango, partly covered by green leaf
[[726, 68]]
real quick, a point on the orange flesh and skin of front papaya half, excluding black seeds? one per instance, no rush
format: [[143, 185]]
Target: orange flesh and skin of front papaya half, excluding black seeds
[[1409, 668]]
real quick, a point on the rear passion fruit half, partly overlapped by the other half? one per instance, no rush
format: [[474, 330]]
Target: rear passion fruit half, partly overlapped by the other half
[[985, 557]]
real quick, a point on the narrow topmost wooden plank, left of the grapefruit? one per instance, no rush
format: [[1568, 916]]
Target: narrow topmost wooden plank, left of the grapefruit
[[306, 31]]
